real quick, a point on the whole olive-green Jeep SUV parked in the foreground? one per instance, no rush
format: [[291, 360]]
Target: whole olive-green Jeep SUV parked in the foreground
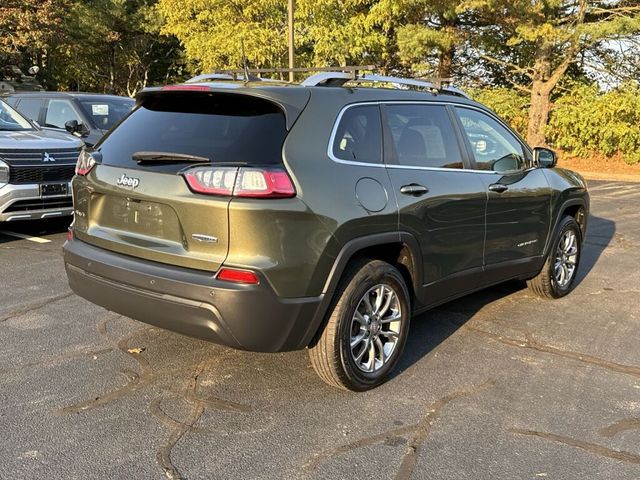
[[273, 217]]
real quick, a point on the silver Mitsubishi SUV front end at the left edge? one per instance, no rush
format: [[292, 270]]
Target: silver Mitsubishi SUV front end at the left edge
[[36, 167]]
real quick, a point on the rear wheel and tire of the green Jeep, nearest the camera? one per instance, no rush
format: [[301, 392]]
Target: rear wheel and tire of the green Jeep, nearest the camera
[[332, 356]]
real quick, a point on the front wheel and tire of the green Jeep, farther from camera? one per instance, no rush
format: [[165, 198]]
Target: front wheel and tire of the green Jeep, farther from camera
[[549, 283]]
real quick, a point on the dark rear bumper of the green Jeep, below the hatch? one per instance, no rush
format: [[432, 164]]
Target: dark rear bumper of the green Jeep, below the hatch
[[191, 302]]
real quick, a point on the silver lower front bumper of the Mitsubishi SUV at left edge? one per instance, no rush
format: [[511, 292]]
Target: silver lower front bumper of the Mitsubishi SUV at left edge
[[23, 202]]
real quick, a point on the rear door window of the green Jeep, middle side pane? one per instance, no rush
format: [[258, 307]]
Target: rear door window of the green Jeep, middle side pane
[[423, 136]]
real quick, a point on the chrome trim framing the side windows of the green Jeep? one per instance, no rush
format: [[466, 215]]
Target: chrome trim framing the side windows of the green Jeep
[[334, 132]]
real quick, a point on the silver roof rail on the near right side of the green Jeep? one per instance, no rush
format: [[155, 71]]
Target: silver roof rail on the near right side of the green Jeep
[[337, 79]]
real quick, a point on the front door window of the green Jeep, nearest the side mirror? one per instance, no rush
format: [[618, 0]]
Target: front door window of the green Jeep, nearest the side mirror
[[493, 146]]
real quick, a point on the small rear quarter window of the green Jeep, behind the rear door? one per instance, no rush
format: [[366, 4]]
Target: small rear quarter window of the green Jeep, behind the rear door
[[359, 135]]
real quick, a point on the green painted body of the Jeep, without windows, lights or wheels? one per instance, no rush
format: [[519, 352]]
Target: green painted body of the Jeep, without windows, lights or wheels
[[459, 236]]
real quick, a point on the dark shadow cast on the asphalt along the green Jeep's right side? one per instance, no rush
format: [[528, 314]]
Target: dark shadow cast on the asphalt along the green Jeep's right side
[[434, 327]]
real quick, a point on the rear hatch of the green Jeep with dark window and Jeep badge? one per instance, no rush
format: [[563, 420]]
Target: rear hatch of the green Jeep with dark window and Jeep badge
[[137, 201]]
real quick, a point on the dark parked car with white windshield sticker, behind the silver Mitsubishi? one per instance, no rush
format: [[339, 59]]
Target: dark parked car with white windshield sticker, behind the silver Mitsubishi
[[88, 115]]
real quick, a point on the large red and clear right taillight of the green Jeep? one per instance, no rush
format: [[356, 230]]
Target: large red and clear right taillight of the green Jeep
[[241, 182]]
